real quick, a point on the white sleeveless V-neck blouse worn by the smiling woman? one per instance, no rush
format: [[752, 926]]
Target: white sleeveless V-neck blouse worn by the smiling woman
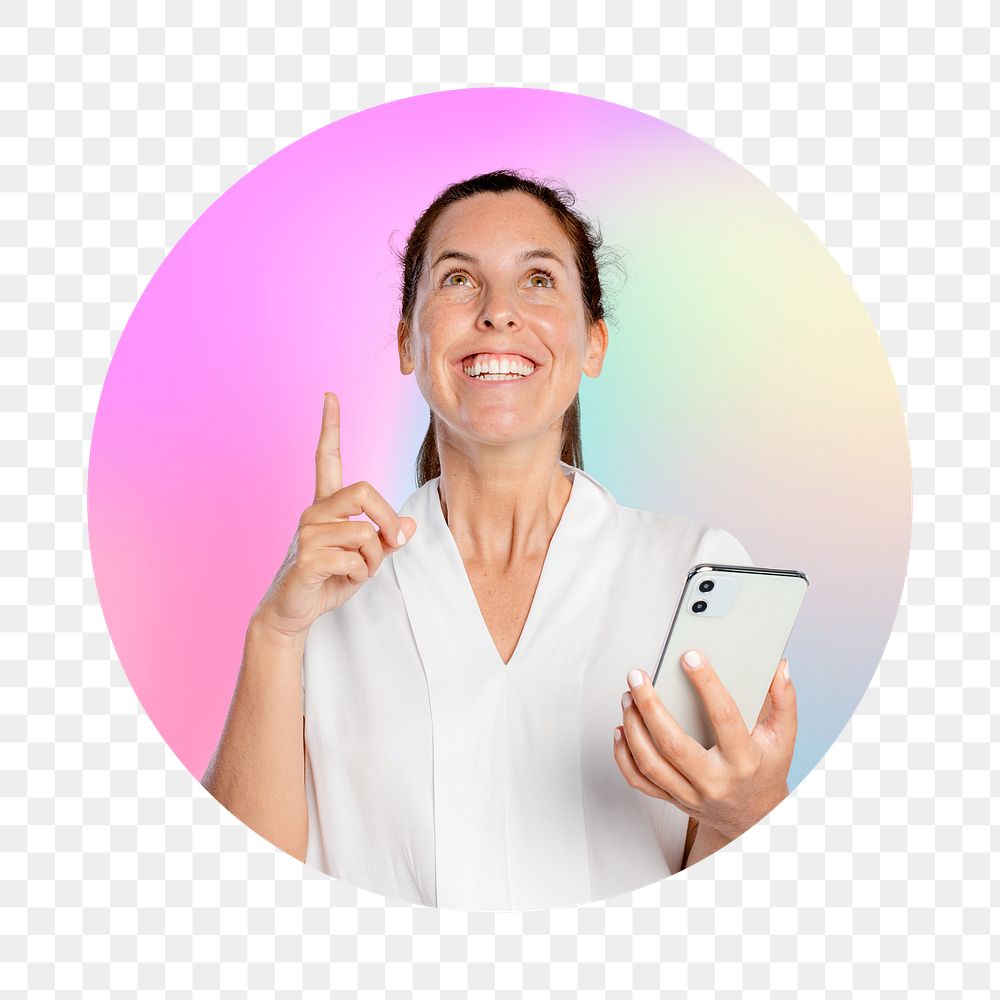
[[438, 775]]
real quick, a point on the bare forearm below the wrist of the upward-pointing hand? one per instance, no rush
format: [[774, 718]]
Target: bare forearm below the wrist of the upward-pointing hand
[[258, 770]]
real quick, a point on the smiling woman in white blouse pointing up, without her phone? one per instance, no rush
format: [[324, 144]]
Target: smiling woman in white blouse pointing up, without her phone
[[459, 744]]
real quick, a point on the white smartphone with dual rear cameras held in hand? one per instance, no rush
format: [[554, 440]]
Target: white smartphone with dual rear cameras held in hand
[[740, 617]]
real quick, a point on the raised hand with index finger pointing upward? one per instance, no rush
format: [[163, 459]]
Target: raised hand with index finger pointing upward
[[331, 556]]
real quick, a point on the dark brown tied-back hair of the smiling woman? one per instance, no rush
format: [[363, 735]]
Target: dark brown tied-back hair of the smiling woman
[[587, 242]]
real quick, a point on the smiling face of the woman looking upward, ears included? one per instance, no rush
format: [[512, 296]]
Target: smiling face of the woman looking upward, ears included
[[500, 285]]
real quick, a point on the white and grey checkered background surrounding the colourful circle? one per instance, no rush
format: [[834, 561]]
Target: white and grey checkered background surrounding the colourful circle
[[873, 121]]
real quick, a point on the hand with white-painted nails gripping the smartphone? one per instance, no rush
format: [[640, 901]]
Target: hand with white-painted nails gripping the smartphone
[[729, 787]]
